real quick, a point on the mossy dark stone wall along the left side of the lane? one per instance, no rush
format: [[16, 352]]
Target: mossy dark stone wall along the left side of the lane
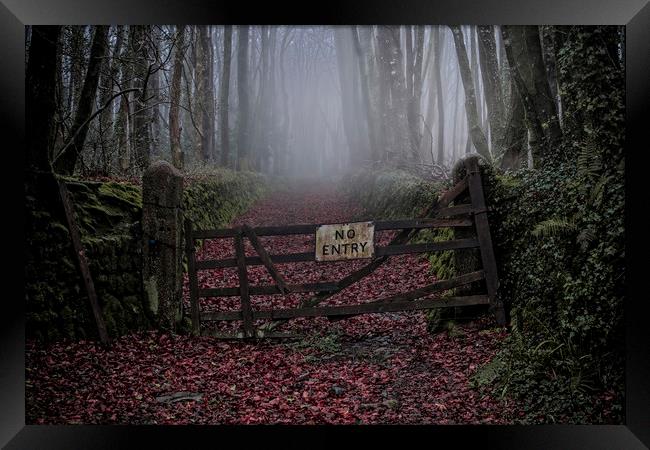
[[109, 217]]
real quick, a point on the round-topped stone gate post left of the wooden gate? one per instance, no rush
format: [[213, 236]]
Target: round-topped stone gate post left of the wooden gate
[[162, 246]]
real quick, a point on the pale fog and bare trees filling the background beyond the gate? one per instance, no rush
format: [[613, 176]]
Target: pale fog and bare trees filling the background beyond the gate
[[303, 101]]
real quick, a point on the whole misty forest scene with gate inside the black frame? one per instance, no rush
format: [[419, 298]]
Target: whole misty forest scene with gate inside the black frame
[[143, 139]]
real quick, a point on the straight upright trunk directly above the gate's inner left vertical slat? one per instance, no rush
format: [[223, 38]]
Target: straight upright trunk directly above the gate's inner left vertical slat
[[243, 150]]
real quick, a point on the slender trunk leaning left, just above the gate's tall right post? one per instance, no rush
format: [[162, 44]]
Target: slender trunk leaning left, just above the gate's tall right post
[[475, 131]]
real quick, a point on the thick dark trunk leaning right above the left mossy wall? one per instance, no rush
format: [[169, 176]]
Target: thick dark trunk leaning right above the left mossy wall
[[67, 158]]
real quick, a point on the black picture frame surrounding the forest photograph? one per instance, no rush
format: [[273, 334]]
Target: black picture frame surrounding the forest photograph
[[635, 14]]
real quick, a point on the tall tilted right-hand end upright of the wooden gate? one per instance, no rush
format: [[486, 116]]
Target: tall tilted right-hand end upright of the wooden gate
[[484, 238]]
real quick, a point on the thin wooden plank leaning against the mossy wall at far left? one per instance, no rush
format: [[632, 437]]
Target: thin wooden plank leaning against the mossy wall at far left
[[83, 263]]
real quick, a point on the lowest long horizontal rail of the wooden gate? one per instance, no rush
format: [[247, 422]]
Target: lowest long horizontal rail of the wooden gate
[[346, 310]]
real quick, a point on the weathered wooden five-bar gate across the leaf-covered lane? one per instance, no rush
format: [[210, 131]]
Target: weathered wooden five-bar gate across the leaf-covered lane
[[440, 215]]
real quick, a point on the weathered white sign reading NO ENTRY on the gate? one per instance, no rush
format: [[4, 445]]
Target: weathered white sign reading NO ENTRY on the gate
[[345, 241]]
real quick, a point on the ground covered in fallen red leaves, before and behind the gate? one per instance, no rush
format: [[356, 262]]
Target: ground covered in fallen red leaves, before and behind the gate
[[369, 369]]
